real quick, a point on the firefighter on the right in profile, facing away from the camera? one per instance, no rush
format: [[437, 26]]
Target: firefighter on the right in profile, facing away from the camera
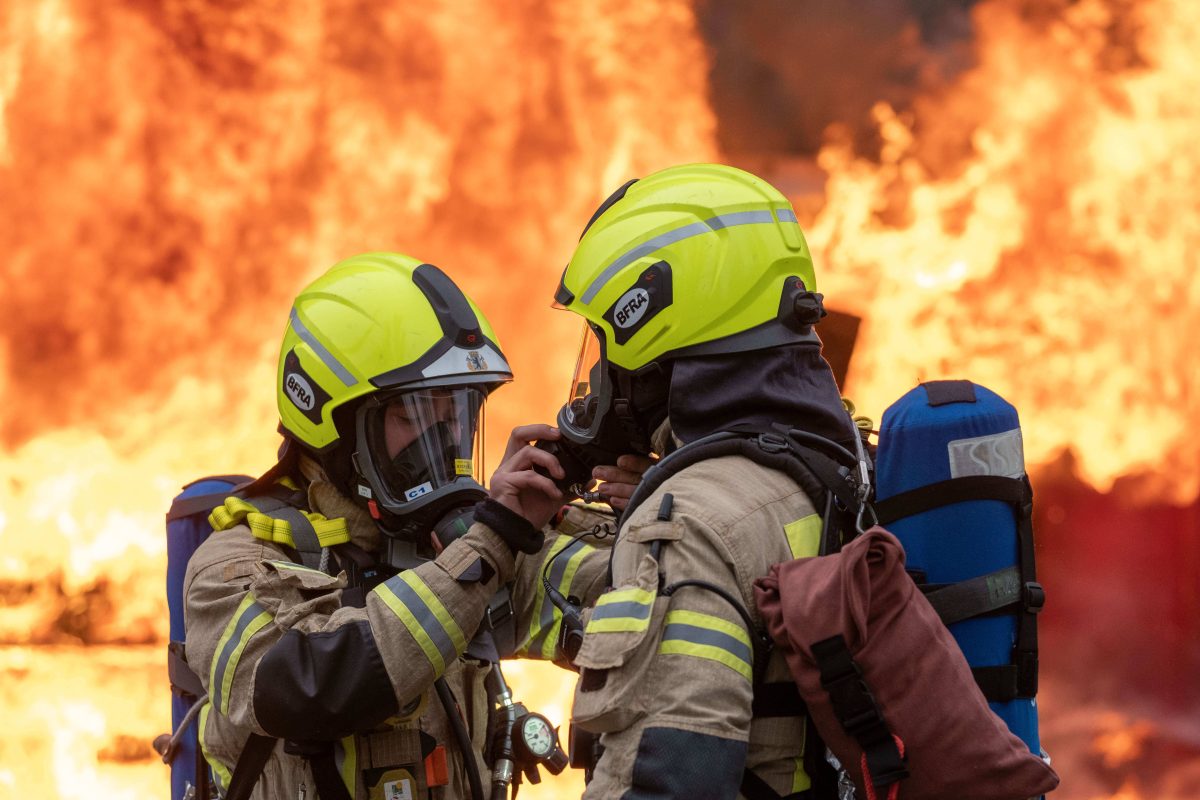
[[699, 297]]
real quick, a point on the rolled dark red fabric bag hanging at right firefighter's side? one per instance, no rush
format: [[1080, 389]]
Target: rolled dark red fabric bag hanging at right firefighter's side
[[955, 747]]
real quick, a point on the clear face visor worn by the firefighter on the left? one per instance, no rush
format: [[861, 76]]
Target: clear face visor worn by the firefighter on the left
[[425, 440]]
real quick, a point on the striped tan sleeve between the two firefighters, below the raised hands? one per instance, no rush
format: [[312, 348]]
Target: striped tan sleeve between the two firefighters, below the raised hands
[[575, 561]]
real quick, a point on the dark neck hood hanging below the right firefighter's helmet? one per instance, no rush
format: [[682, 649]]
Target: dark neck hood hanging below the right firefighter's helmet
[[791, 384]]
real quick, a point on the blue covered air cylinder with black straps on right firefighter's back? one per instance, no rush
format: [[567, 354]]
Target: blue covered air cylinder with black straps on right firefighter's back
[[951, 485]]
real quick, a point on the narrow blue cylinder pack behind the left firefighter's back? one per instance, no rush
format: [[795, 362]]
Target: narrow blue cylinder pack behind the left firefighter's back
[[188, 527]]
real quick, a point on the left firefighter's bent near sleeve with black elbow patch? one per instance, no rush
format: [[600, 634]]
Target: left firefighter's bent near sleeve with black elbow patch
[[280, 655]]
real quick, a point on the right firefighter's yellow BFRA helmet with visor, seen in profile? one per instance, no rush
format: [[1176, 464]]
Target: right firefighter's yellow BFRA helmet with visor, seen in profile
[[692, 261]]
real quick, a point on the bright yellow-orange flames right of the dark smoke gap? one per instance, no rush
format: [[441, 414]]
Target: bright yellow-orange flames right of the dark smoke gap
[[1031, 227]]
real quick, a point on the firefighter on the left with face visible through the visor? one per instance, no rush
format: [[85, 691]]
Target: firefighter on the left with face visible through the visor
[[346, 615]]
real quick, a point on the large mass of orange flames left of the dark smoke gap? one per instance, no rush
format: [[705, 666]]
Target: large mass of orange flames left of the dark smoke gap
[[183, 170]]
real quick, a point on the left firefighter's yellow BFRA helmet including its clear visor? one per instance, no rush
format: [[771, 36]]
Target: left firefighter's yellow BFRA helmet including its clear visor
[[383, 336]]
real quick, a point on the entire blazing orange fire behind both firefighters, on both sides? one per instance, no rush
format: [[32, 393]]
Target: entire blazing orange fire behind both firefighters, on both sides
[[173, 171]]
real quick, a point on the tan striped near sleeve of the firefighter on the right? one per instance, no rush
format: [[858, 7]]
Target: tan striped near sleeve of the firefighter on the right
[[668, 679]]
